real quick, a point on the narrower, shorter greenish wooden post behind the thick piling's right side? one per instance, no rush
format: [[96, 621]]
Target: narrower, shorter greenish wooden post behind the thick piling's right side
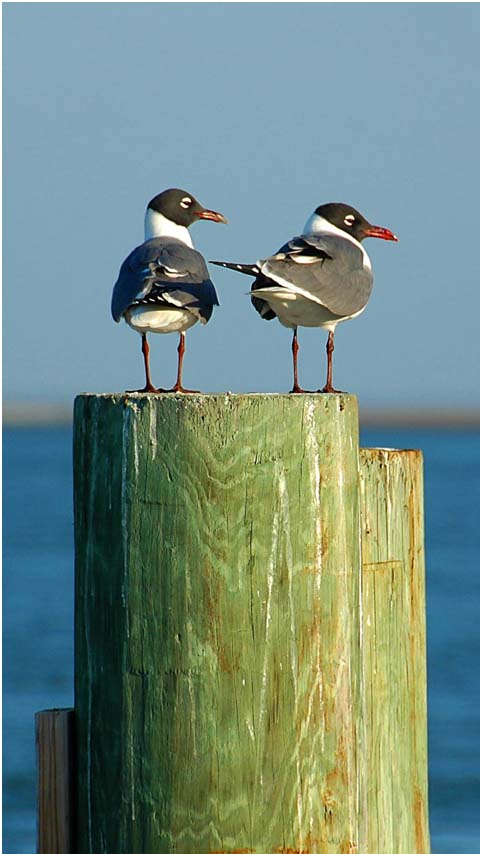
[[393, 628]]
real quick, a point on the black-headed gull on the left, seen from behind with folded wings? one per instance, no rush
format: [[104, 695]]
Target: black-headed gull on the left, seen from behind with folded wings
[[163, 285]]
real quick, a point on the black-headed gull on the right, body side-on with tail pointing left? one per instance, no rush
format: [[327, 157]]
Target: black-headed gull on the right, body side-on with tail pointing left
[[320, 278]]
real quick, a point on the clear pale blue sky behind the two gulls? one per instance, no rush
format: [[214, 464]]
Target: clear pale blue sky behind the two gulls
[[263, 111]]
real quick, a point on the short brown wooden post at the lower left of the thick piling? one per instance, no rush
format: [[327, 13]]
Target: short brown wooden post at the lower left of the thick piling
[[56, 776]]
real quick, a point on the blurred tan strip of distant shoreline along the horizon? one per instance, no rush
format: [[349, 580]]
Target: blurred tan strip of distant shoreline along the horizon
[[61, 414]]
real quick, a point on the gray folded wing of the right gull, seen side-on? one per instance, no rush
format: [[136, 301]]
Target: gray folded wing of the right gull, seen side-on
[[325, 268]]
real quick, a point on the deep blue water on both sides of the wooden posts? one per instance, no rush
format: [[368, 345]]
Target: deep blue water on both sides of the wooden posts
[[38, 618]]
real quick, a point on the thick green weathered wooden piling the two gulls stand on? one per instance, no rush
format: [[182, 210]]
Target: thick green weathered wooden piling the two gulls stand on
[[217, 663]]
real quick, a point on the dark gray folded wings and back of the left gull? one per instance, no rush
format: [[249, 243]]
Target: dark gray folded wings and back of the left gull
[[164, 271]]
